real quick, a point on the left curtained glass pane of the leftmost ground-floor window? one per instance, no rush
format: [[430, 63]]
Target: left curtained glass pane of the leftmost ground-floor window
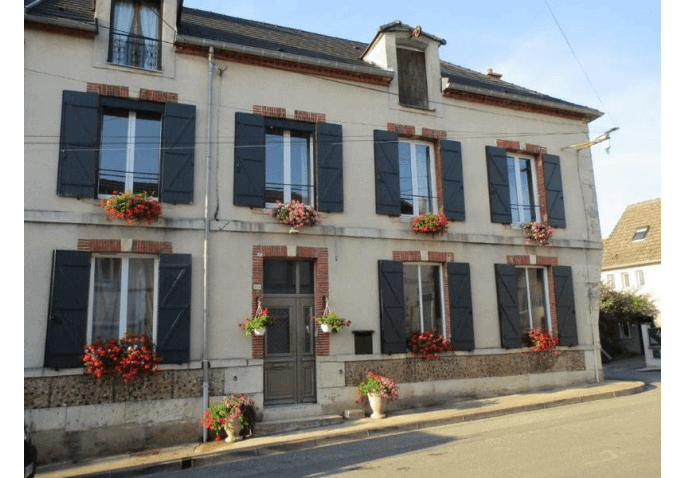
[[106, 298]]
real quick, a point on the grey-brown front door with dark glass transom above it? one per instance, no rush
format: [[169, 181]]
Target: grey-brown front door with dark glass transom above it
[[289, 364]]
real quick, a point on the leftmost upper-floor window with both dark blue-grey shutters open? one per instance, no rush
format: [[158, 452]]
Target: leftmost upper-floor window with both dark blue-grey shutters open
[[112, 144]]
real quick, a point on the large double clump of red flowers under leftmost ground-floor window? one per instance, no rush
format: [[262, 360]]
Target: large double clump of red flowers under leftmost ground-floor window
[[132, 356]]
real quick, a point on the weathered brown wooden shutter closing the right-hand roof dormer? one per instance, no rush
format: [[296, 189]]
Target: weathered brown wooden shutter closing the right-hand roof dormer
[[412, 86]]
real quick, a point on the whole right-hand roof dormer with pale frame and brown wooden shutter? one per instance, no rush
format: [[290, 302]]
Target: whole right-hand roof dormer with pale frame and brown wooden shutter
[[413, 55]]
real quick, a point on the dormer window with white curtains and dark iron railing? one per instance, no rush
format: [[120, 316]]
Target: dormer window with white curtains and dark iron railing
[[135, 33]]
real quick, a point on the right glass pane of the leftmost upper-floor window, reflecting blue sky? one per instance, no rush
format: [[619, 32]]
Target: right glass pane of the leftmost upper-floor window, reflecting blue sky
[[147, 154]]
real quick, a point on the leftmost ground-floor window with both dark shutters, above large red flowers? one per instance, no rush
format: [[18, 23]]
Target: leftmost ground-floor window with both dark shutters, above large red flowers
[[120, 289]]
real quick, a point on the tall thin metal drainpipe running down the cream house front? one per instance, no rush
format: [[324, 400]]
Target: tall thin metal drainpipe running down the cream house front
[[205, 362]]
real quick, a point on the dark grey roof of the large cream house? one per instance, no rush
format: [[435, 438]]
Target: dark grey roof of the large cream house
[[272, 40]]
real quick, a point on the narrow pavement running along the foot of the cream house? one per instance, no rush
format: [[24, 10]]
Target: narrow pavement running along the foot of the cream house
[[637, 379]]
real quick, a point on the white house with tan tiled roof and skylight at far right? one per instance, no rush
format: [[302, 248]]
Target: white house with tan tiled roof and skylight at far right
[[631, 261]]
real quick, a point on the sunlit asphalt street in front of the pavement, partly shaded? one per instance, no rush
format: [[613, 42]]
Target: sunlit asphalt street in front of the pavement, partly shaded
[[603, 438]]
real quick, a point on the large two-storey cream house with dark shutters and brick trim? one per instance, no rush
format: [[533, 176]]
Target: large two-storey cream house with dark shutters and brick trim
[[220, 118]]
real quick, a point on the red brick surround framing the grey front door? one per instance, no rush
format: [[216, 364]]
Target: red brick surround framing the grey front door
[[320, 256]]
